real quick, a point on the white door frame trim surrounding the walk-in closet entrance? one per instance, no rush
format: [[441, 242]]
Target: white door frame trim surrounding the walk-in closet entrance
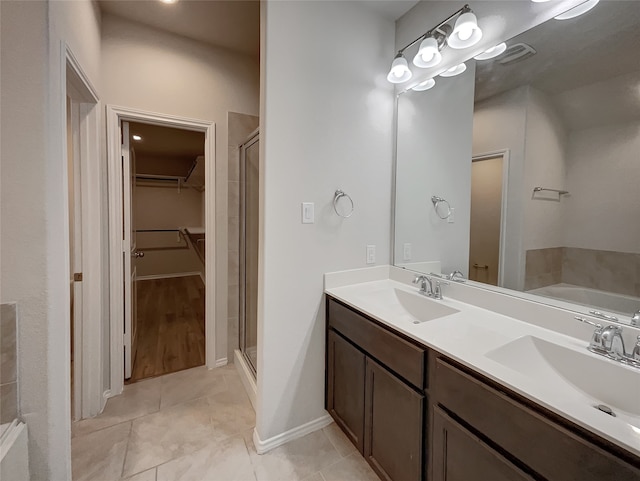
[[115, 115]]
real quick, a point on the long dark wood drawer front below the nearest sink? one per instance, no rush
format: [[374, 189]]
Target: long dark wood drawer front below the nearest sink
[[548, 449]]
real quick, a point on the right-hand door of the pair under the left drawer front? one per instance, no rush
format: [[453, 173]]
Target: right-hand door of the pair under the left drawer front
[[394, 415]]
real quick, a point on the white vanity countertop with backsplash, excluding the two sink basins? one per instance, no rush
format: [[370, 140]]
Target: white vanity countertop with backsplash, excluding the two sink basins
[[488, 320]]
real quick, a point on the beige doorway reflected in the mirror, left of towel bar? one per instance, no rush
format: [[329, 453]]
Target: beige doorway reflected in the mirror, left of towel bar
[[488, 193]]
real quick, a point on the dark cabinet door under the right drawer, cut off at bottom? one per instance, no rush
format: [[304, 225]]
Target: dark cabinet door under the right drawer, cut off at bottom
[[458, 455]]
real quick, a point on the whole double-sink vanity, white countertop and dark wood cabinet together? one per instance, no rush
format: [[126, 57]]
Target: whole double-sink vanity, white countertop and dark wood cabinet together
[[442, 390]]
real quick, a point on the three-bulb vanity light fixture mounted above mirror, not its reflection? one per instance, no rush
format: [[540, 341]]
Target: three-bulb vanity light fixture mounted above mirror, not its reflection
[[465, 33]]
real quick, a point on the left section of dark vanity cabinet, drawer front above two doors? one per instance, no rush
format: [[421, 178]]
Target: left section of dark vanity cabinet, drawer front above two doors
[[379, 410]]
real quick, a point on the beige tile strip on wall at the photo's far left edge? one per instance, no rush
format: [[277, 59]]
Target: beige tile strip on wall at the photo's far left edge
[[8, 364]]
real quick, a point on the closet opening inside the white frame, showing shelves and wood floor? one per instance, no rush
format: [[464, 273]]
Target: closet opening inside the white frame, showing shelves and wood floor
[[164, 224]]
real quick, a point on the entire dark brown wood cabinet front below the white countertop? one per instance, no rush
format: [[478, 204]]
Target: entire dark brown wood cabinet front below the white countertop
[[416, 415]]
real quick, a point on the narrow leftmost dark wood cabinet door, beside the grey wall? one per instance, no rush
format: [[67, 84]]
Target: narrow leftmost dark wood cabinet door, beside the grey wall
[[345, 387]]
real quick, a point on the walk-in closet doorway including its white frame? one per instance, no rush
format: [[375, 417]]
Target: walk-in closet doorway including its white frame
[[159, 214]]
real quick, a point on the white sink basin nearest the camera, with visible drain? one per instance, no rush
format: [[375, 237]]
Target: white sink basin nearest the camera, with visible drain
[[600, 381]]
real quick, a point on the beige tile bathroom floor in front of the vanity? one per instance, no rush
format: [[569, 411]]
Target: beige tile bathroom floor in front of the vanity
[[197, 425]]
